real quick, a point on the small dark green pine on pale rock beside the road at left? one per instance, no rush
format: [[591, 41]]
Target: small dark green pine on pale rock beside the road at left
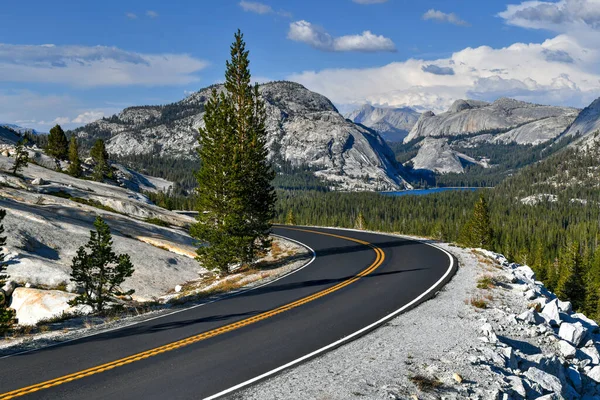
[[99, 270]]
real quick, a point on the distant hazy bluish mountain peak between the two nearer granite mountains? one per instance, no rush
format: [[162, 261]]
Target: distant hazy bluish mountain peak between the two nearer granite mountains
[[393, 124]]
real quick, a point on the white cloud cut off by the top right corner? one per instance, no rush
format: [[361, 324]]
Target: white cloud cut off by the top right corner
[[561, 16]]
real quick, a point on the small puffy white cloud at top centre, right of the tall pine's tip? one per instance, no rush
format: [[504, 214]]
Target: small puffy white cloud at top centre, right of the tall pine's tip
[[317, 37]]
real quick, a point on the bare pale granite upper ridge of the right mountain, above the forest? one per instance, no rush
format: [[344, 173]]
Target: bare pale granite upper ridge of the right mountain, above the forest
[[468, 117]]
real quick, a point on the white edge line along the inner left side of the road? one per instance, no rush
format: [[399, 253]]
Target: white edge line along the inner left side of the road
[[314, 256]]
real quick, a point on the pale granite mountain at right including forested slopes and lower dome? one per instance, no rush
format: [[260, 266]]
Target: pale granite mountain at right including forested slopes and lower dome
[[488, 141]]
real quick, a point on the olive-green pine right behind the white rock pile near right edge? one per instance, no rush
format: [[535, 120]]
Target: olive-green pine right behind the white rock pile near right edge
[[570, 284]]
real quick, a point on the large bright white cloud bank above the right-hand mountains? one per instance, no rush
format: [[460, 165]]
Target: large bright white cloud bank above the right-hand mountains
[[523, 71]]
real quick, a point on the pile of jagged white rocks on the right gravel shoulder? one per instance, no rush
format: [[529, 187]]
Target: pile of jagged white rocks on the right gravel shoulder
[[565, 364]]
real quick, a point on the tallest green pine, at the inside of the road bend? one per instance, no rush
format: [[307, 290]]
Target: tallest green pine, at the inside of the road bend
[[235, 196]]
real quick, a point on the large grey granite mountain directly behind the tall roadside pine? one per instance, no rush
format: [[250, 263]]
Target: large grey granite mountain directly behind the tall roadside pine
[[305, 131]]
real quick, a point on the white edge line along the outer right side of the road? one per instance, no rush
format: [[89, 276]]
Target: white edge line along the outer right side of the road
[[351, 336]]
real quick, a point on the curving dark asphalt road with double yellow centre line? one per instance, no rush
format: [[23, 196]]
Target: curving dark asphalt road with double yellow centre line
[[355, 282]]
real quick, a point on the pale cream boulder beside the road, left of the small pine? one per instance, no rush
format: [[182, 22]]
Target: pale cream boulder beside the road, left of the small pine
[[35, 305]]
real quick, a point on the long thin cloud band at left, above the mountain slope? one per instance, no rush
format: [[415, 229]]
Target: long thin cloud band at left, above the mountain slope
[[91, 66]]
